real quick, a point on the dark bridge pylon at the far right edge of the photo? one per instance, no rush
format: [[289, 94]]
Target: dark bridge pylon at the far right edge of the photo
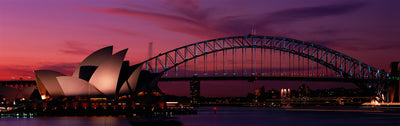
[[394, 85]]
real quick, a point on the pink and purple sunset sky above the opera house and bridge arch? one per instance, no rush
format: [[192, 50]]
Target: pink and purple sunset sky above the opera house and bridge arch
[[58, 35]]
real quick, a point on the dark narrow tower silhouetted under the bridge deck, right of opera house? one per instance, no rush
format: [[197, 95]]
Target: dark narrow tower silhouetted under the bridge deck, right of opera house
[[194, 91]]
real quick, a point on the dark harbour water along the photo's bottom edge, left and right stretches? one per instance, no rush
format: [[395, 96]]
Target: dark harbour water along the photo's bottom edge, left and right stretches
[[233, 116]]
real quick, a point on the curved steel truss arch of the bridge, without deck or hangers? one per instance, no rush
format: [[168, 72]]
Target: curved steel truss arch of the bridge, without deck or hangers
[[344, 65]]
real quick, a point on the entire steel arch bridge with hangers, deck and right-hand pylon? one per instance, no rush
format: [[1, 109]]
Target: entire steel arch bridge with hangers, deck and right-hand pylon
[[269, 58]]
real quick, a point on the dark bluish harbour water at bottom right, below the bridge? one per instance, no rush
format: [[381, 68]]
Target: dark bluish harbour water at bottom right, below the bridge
[[242, 116]]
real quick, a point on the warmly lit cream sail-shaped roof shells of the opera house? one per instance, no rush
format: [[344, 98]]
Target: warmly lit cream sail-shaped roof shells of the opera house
[[101, 73]]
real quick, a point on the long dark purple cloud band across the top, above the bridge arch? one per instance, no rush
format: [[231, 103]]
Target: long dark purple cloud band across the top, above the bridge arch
[[191, 18]]
